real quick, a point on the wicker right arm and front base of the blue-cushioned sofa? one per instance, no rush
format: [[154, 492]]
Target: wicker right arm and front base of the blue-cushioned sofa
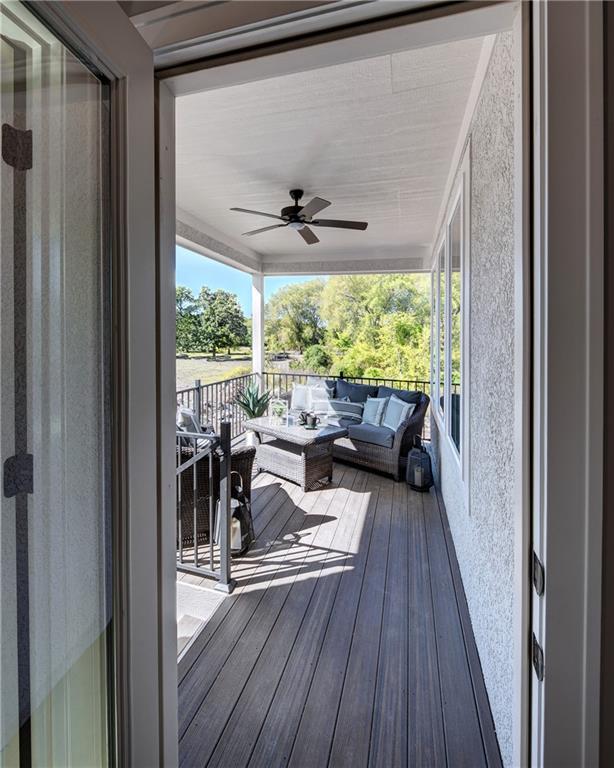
[[392, 460]]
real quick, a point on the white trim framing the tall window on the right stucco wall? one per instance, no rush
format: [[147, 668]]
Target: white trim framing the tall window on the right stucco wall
[[461, 194]]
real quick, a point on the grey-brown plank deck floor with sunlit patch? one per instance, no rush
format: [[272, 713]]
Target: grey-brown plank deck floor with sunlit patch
[[346, 643]]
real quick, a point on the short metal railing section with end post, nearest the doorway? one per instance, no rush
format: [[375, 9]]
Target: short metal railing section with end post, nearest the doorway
[[203, 504]]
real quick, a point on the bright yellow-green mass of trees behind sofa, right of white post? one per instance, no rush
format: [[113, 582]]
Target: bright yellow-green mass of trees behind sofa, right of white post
[[363, 325]]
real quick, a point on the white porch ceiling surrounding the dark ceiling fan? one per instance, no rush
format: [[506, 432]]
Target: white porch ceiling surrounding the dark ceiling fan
[[375, 137]]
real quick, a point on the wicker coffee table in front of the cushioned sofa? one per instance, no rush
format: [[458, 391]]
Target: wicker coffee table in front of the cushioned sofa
[[295, 453]]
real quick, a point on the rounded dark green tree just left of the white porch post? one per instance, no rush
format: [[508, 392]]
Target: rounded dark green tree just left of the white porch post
[[222, 322]]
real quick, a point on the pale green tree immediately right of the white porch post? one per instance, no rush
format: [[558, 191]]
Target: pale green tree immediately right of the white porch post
[[292, 316]]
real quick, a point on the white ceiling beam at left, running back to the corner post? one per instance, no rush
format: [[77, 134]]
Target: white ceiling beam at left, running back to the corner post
[[194, 235]]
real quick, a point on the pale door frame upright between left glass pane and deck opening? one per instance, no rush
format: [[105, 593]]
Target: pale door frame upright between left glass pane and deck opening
[[144, 611]]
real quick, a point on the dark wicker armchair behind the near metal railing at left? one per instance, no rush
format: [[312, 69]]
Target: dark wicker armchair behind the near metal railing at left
[[241, 462]]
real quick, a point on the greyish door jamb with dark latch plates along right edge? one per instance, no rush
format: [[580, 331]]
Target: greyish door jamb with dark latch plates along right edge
[[568, 377]]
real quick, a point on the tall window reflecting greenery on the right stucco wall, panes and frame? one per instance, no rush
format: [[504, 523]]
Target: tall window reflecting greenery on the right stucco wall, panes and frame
[[450, 325]]
